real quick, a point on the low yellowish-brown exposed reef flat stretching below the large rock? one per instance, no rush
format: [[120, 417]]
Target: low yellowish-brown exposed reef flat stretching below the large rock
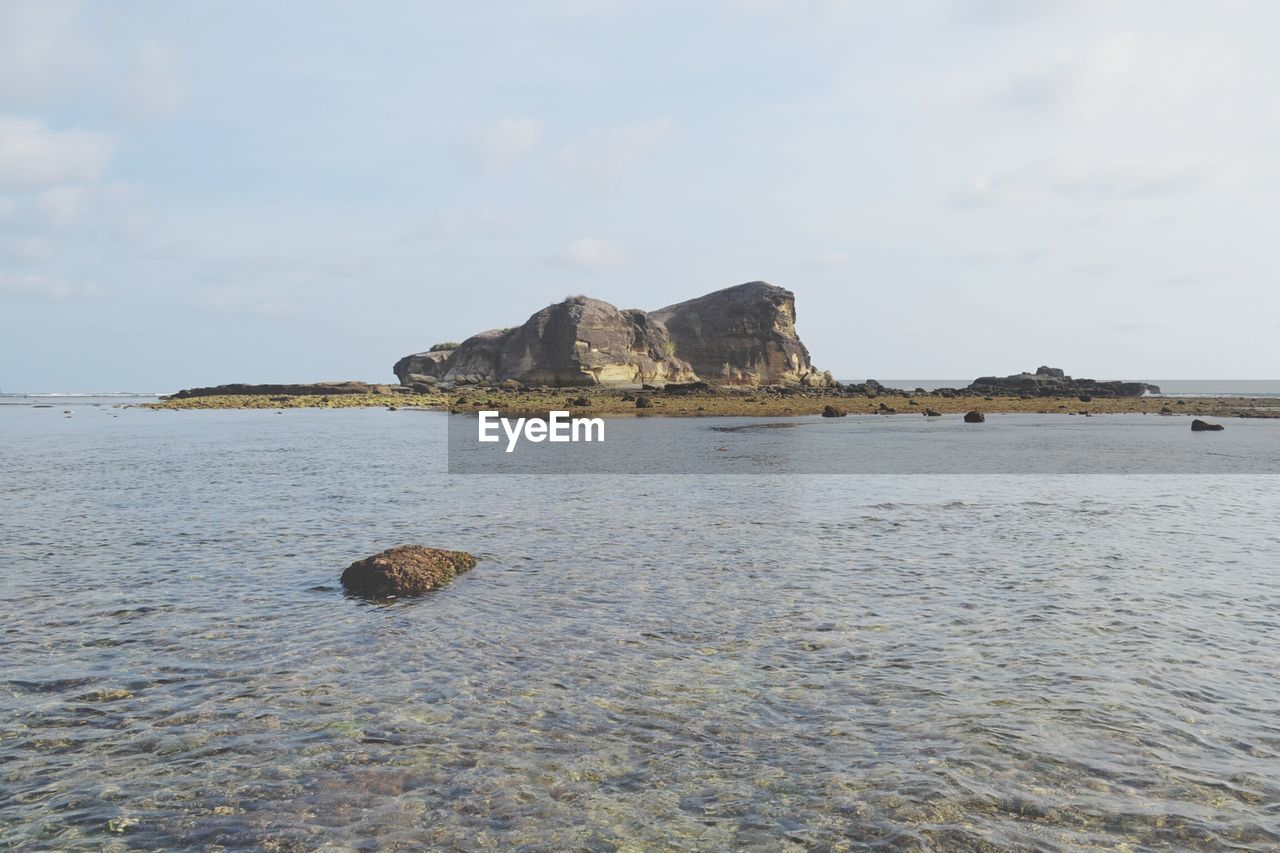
[[769, 402]]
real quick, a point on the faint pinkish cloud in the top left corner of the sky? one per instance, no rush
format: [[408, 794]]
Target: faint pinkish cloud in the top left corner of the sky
[[39, 45]]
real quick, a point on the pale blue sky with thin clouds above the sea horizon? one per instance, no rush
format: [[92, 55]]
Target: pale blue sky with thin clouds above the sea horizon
[[205, 193]]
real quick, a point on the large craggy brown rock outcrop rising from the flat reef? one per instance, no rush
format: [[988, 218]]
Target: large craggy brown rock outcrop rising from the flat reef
[[743, 335]]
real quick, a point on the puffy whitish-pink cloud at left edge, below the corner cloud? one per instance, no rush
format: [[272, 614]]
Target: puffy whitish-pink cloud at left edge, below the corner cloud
[[33, 156]]
